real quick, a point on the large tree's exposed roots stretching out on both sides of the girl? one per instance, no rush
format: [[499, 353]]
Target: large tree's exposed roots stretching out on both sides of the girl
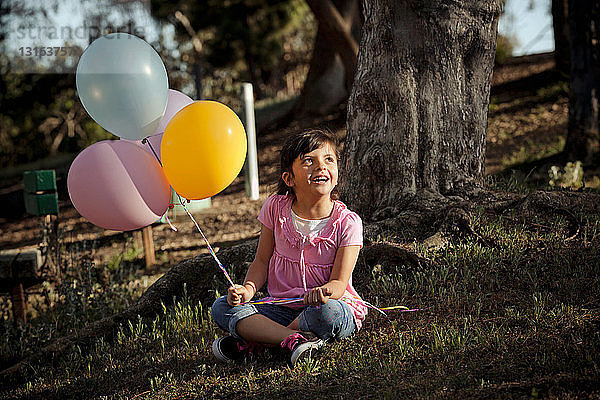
[[418, 222]]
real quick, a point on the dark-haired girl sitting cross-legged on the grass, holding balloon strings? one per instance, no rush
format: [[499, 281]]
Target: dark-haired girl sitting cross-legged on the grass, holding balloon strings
[[308, 247]]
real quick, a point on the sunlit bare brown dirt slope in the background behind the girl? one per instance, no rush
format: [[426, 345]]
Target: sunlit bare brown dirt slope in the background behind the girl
[[232, 217]]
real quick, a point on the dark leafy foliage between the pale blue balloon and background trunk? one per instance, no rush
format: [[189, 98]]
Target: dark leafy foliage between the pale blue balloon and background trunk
[[246, 38]]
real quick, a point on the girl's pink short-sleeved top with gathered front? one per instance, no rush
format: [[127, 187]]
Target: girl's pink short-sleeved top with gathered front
[[299, 262]]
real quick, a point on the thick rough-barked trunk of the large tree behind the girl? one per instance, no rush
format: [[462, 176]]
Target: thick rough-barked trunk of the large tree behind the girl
[[417, 115]]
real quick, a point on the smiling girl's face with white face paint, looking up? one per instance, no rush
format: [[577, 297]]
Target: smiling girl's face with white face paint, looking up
[[314, 173]]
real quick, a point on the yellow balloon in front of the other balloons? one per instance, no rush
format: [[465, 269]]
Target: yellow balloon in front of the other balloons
[[203, 149]]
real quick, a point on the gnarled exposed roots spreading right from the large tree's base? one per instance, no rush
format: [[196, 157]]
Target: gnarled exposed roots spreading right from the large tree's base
[[430, 218]]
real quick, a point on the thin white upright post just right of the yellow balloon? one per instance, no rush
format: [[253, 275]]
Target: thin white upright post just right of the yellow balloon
[[251, 170]]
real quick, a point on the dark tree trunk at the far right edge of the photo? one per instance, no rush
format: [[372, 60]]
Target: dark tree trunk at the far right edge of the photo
[[583, 141]]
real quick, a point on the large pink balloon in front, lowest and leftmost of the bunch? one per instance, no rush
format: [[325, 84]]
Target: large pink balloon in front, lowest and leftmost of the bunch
[[117, 185]]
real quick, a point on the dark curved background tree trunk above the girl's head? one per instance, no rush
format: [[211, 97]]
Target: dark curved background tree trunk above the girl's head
[[332, 66]]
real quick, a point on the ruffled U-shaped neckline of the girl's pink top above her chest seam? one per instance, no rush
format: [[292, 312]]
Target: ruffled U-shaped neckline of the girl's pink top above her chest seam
[[296, 238]]
